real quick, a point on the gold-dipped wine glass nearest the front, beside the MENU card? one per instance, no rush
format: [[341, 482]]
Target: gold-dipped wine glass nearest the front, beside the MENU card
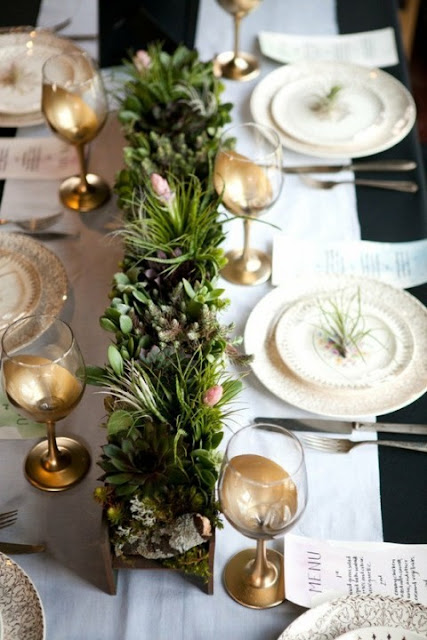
[[263, 492]]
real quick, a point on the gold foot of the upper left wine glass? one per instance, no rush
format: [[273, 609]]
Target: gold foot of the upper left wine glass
[[71, 196]]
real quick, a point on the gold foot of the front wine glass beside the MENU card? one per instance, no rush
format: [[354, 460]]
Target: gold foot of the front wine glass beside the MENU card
[[237, 583]]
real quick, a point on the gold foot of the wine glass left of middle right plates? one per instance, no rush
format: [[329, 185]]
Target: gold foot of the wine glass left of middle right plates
[[254, 271]]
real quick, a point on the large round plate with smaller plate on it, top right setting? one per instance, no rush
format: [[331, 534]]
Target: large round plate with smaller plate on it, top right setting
[[389, 110]]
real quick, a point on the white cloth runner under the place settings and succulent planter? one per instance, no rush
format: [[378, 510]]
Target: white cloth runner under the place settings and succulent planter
[[71, 576]]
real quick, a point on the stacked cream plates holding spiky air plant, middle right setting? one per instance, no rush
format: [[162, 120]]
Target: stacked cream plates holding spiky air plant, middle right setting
[[293, 358]]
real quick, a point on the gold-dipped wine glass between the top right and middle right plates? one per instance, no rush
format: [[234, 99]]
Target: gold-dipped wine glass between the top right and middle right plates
[[248, 174]]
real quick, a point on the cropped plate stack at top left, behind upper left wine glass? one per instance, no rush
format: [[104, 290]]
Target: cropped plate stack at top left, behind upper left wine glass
[[23, 51]]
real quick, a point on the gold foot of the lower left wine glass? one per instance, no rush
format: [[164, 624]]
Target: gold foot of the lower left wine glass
[[71, 474]]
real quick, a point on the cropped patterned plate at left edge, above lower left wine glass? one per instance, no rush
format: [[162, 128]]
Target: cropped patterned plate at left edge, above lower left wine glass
[[45, 289]]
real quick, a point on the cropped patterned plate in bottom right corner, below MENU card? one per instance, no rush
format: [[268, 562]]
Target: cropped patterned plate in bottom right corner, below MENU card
[[329, 621]]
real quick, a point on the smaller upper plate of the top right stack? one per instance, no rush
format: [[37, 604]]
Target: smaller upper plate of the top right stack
[[350, 117]]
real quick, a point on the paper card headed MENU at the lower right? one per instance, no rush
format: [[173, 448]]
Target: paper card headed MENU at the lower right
[[318, 570]]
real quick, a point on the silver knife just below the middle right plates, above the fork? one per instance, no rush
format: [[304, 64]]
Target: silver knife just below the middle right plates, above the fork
[[342, 426]]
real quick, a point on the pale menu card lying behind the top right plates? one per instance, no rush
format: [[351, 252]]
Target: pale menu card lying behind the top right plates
[[368, 48]]
